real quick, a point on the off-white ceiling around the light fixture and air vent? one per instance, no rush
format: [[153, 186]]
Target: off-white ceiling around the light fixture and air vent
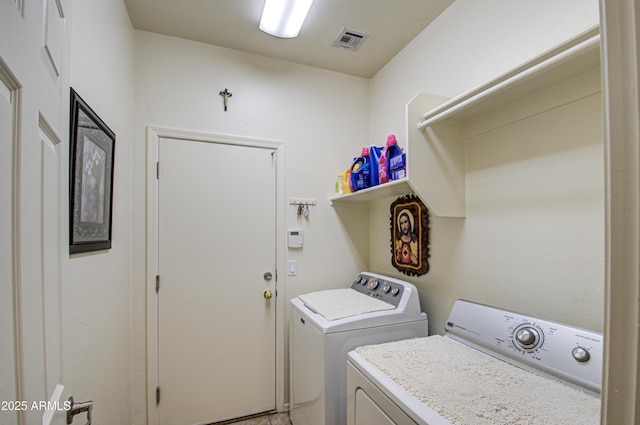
[[392, 24]]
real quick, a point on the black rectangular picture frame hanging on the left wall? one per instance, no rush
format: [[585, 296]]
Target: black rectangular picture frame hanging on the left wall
[[91, 161]]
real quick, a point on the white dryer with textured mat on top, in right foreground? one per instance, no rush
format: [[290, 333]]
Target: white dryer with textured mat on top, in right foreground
[[493, 366]]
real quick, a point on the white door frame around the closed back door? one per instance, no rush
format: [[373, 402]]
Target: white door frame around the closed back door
[[154, 134]]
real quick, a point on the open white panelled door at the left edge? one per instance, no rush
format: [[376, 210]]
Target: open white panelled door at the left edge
[[33, 160]]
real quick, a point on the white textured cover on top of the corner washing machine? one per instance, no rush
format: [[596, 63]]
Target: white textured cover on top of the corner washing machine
[[335, 304]]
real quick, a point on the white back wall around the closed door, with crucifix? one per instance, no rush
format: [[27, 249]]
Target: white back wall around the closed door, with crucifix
[[321, 117]]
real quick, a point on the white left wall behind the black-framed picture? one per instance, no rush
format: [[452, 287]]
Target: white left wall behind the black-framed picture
[[97, 285]]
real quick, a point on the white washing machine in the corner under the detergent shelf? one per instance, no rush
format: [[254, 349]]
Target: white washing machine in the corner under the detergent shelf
[[326, 325]]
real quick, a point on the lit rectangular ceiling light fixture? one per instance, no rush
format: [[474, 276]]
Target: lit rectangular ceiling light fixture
[[284, 18]]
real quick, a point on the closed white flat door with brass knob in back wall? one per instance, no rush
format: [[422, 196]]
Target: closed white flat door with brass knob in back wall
[[216, 320]]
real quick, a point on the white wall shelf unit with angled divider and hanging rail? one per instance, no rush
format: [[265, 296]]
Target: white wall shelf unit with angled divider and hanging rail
[[438, 128]]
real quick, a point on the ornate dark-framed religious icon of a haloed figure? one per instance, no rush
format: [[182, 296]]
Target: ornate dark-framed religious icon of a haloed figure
[[410, 236]]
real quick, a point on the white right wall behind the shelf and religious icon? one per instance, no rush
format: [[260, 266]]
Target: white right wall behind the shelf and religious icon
[[505, 252]]
